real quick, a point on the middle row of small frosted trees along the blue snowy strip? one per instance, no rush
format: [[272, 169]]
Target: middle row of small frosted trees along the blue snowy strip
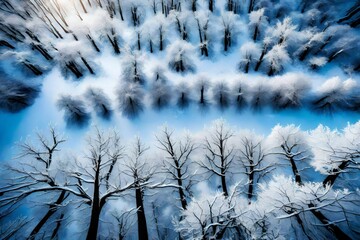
[[286, 92]]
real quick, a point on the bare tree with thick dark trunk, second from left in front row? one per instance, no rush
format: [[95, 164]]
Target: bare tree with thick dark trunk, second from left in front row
[[96, 177]]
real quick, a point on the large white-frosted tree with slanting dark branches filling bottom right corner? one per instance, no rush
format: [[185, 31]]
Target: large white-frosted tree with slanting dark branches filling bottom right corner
[[304, 211]]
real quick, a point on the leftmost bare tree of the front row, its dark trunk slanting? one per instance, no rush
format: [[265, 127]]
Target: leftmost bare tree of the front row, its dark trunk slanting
[[32, 176]]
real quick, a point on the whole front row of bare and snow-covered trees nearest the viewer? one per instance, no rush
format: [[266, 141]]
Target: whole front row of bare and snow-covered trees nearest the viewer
[[220, 183]]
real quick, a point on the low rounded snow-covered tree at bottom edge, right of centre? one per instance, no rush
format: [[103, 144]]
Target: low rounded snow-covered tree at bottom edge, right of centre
[[212, 216]]
